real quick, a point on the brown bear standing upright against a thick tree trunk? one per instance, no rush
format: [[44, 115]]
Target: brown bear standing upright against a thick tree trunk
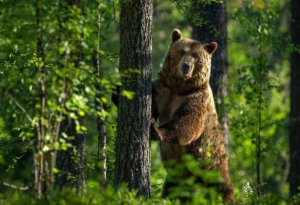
[[184, 105]]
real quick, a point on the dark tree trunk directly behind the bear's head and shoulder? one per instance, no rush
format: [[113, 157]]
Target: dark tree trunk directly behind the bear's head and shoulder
[[214, 28]]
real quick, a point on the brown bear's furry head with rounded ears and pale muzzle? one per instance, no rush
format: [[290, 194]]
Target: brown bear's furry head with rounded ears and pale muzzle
[[188, 61]]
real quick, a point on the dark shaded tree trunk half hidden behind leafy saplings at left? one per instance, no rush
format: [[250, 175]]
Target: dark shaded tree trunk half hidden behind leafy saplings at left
[[71, 163]]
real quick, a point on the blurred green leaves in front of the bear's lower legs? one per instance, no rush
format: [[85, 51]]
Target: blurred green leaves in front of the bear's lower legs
[[196, 185]]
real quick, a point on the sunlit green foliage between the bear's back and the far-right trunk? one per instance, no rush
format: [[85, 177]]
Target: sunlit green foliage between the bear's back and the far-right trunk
[[257, 99]]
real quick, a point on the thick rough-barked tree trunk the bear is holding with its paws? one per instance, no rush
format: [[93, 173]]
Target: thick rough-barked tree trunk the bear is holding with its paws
[[133, 141]]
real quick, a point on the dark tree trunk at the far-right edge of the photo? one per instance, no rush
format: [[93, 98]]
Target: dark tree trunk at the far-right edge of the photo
[[294, 178]]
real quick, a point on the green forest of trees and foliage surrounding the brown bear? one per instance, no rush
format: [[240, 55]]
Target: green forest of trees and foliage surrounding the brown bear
[[61, 60]]
